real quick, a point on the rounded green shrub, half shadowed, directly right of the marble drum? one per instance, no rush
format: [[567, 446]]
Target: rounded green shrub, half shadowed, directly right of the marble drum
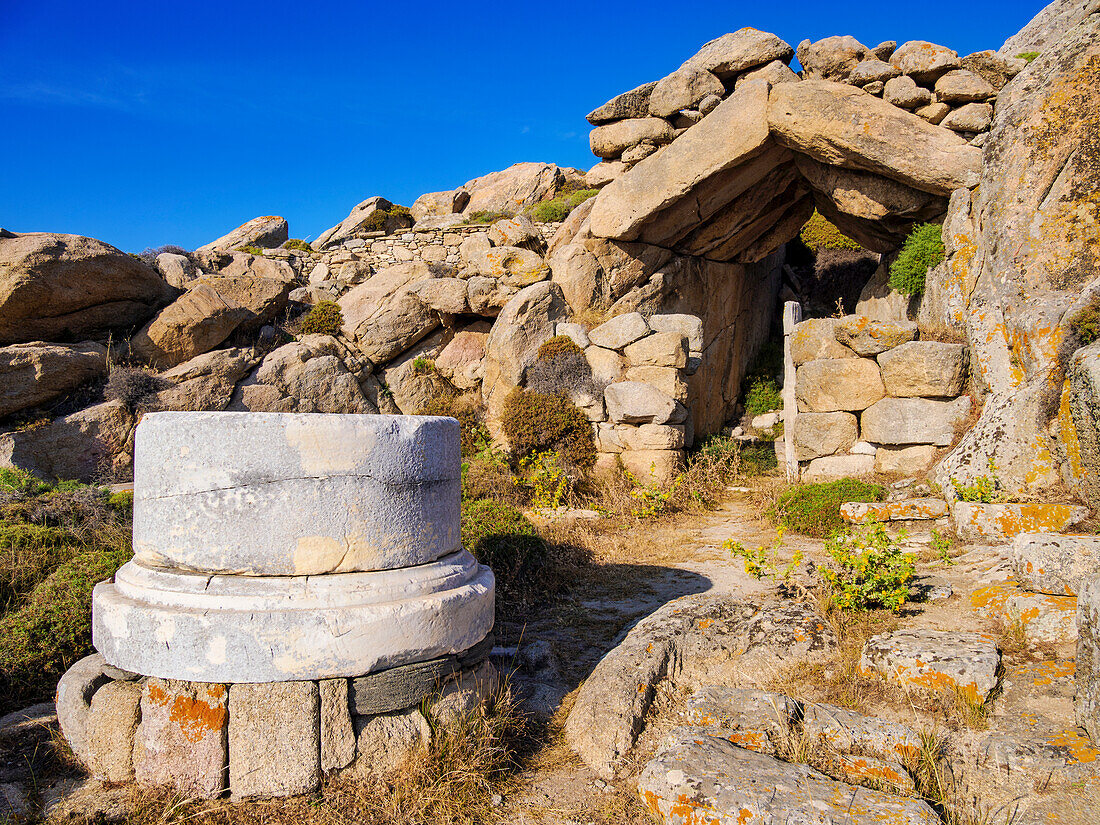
[[500, 536]]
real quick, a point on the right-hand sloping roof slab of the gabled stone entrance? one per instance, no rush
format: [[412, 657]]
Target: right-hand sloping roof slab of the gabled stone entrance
[[837, 124]]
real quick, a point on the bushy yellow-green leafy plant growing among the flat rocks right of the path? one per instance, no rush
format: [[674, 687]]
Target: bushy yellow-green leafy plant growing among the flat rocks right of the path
[[870, 569]]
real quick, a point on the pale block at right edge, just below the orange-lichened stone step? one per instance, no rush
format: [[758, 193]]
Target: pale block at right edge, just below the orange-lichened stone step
[[1057, 565]]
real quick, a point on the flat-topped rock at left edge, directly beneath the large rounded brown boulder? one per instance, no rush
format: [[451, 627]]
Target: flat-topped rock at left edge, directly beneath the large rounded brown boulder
[[37, 373]]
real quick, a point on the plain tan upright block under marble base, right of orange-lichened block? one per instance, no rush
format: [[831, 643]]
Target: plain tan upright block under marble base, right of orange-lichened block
[[273, 740]]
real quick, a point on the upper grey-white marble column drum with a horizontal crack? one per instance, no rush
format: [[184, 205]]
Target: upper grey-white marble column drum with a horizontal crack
[[295, 494]]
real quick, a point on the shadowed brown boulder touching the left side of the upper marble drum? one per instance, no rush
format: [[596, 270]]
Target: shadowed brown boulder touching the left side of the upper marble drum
[[84, 446]]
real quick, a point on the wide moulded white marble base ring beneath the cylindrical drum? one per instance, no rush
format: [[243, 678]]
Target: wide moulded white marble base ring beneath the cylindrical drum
[[234, 629]]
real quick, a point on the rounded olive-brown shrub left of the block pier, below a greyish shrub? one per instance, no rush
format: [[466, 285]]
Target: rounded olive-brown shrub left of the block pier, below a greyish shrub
[[536, 423]]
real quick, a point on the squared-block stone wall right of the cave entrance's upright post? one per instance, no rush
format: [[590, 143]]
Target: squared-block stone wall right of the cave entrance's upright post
[[872, 398]]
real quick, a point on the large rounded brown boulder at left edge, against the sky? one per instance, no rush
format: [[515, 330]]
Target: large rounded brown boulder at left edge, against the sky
[[59, 288]]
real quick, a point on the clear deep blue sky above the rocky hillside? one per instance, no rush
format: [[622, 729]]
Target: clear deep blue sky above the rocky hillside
[[145, 124]]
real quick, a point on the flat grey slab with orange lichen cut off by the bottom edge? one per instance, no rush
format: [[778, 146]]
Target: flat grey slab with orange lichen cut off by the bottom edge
[[706, 779]]
